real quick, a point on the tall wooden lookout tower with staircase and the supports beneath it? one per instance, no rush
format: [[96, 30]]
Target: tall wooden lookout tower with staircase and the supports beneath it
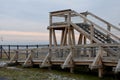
[[84, 37]]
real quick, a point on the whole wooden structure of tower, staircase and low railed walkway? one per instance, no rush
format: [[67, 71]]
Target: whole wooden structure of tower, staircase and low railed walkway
[[76, 40]]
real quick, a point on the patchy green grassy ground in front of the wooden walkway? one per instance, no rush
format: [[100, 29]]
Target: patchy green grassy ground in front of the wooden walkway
[[45, 74]]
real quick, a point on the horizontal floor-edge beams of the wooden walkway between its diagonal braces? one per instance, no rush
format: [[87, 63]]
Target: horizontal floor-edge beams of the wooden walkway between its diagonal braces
[[106, 62]]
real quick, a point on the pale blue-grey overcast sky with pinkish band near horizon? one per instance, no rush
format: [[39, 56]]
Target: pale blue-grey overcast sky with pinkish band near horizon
[[28, 19]]
